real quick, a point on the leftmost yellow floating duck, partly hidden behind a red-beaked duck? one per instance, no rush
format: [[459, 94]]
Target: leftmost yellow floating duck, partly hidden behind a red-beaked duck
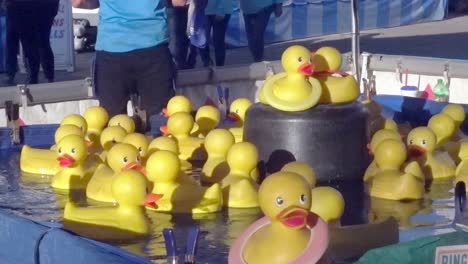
[[44, 161]]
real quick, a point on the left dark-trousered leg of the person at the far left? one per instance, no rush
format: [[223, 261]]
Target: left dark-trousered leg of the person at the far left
[[27, 31]]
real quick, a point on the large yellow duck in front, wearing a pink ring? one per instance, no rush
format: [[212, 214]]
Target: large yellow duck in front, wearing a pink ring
[[285, 200]]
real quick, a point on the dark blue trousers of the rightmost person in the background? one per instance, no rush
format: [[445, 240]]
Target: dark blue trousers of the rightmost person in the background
[[255, 27]]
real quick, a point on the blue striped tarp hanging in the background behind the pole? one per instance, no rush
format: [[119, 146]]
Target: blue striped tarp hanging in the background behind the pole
[[308, 18]]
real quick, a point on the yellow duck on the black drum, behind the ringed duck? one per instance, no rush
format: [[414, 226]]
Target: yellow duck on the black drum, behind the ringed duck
[[335, 90]]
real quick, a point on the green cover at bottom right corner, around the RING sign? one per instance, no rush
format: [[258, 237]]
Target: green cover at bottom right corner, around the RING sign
[[417, 251]]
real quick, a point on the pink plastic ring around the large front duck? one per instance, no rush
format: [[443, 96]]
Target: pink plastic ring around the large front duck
[[317, 246]]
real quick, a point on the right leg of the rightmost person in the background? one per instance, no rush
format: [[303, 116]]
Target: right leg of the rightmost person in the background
[[259, 27]]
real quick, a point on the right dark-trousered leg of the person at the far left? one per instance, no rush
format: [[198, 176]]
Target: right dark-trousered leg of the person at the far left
[[47, 12]]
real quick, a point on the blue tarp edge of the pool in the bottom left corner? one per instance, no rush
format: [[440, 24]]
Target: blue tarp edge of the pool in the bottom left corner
[[27, 242]]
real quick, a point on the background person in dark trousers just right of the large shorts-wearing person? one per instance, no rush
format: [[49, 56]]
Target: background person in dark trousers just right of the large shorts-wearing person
[[217, 14]]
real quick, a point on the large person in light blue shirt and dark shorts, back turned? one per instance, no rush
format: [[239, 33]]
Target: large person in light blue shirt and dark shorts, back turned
[[132, 55]]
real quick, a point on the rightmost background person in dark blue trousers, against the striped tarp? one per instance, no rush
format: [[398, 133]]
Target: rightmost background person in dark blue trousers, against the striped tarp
[[256, 16]]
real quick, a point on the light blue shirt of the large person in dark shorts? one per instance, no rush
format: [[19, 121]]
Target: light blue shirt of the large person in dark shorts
[[126, 25]]
